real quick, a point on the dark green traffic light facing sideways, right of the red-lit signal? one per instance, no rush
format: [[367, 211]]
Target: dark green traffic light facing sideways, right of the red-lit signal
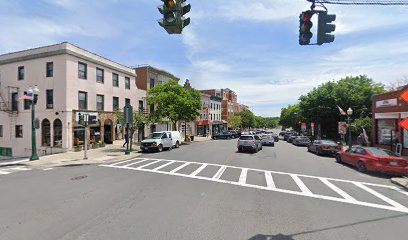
[[325, 27]]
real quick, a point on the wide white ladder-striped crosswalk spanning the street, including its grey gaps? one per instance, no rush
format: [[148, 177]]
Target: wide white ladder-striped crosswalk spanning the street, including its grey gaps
[[338, 190]]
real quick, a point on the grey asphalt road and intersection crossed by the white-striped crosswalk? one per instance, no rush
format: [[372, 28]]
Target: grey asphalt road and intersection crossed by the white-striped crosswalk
[[279, 193]]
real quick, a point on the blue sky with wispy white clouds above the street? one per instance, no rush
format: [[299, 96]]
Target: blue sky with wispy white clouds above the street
[[250, 47]]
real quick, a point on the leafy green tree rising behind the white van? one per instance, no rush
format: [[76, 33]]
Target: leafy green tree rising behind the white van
[[173, 102]]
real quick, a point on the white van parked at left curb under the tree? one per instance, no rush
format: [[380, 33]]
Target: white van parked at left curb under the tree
[[161, 140]]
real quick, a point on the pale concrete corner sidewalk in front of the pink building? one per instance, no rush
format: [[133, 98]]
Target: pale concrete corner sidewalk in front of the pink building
[[109, 153]]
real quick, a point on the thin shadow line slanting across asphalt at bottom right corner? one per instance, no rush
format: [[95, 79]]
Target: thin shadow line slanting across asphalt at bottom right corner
[[290, 237]]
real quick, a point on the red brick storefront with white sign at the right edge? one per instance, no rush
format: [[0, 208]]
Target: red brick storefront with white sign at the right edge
[[388, 110]]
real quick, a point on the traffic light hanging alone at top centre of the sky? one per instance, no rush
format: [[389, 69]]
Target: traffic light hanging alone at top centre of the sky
[[173, 15]]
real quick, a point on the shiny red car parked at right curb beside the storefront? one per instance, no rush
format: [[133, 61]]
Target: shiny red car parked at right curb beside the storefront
[[374, 159]]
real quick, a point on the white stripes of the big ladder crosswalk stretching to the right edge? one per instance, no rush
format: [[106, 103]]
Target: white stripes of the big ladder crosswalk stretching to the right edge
[[305, 189]]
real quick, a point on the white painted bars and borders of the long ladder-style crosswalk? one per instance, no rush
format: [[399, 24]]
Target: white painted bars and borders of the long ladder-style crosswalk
[[389, 204]]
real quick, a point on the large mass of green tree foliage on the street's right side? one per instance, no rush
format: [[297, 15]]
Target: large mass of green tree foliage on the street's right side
[[320, 104]]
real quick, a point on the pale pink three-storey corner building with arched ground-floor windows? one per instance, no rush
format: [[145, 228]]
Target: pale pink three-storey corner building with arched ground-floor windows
[[71, 81]]
